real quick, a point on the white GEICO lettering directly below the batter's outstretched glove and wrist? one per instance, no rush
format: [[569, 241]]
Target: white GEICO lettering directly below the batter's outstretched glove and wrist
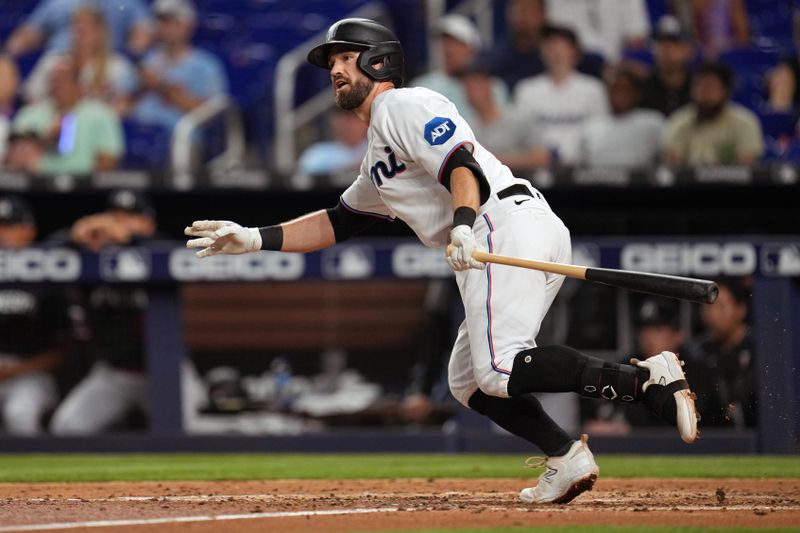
[[185, 266]]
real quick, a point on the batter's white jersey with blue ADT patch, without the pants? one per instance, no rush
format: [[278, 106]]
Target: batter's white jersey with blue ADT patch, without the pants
[[411, 135]]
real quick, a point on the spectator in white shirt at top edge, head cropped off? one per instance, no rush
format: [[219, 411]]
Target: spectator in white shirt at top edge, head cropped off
[[603, 27]]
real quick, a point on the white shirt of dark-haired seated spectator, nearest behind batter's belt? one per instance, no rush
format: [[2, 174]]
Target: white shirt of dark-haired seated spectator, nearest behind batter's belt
[[562, 111]]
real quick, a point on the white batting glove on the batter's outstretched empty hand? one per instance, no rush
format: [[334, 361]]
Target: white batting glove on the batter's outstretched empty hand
[[222, 237]]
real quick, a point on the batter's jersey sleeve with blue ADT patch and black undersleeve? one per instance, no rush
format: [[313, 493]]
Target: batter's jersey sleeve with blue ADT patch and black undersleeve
[[436, 138]]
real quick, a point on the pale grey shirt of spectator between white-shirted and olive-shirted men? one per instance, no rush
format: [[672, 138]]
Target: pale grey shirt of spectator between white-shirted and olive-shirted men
[[630, 140]]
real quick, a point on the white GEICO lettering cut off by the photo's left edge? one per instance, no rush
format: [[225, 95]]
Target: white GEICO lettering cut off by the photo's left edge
[[34, 264]]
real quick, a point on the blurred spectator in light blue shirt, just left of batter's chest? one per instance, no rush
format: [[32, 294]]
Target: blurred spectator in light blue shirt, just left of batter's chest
[[341, 155]]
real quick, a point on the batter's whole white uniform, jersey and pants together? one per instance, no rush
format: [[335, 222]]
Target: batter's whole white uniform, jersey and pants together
[[411, 135]]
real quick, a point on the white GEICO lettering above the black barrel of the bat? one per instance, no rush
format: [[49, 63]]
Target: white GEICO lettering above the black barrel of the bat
[[701, 259]]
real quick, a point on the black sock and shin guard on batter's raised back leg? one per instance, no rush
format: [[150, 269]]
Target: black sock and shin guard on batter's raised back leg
[[563, 369]]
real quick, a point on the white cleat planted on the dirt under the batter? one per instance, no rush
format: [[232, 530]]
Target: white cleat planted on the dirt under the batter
[[565, 478]]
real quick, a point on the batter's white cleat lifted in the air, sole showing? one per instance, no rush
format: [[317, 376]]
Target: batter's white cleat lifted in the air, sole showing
[[666, 372]]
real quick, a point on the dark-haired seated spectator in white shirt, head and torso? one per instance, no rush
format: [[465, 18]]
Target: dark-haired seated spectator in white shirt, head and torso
[[562, 101]]
